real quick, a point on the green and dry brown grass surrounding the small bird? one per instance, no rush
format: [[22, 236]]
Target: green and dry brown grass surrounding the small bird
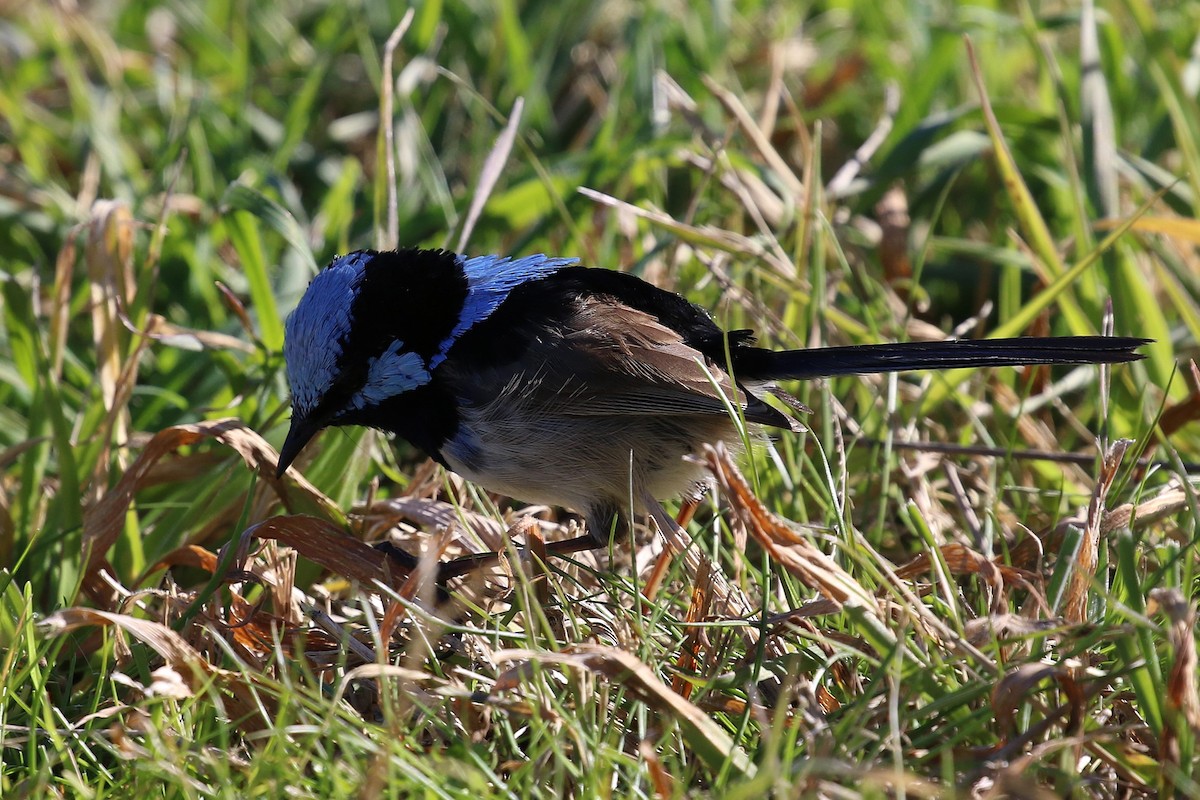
[[171, 176]]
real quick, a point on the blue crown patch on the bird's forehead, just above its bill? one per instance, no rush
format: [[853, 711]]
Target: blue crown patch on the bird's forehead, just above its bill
[[317, 327]]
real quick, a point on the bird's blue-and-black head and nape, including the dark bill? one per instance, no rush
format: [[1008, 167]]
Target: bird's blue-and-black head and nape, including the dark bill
[[374, 328]]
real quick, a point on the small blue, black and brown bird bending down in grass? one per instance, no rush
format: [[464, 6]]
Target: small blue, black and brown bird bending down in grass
[[559, 384]]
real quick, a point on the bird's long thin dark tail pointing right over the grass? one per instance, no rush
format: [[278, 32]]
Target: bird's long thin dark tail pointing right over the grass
[[956, 354]]
